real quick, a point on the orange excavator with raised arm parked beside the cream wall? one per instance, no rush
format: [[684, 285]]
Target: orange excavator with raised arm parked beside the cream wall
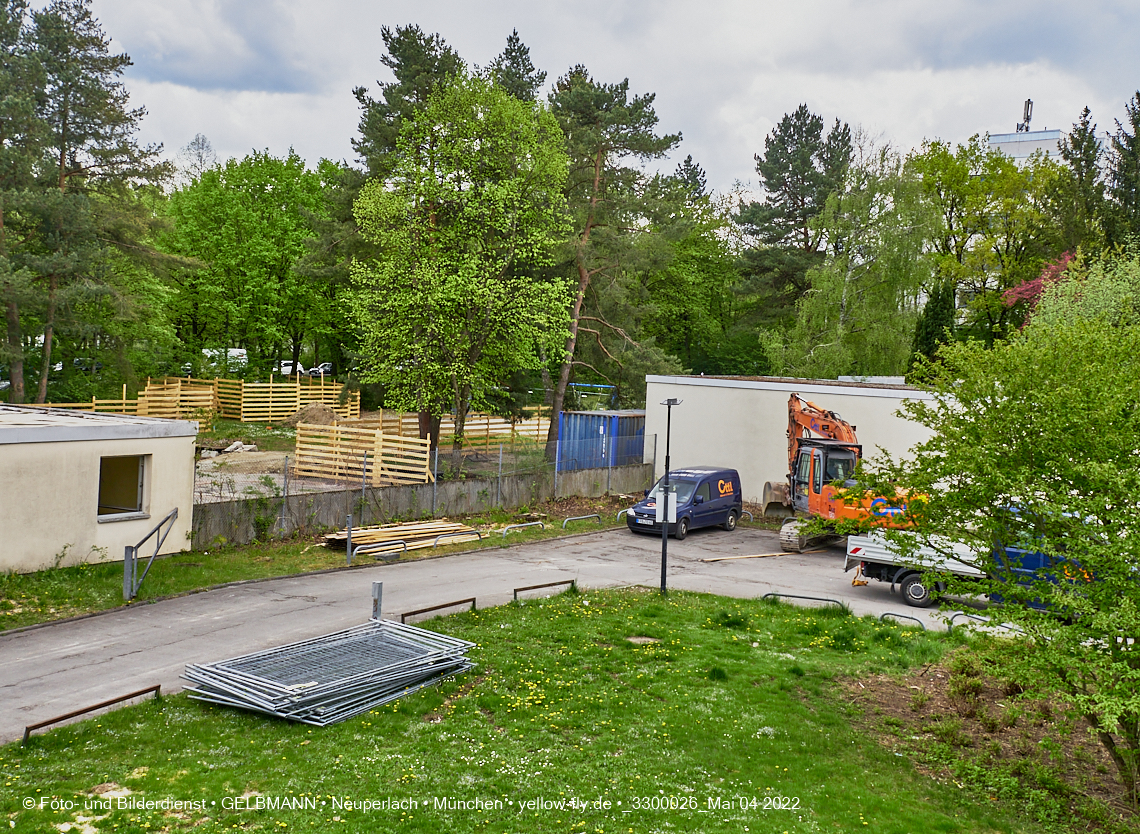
[[815, 464]]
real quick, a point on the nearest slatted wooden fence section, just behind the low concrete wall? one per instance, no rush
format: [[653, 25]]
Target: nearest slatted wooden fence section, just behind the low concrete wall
[[338, 453]]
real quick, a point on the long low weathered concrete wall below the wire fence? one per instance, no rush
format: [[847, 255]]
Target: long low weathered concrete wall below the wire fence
[[241, 522]]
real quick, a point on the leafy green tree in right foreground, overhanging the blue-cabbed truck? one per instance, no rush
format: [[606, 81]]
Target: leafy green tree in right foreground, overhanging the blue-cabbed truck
[[1033, 446]]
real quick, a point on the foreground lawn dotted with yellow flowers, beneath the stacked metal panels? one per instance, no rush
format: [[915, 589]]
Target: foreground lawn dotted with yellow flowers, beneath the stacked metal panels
[[724, 716]]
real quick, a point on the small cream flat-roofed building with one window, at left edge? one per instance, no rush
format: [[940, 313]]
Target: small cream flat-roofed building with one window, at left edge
[[80, 487]]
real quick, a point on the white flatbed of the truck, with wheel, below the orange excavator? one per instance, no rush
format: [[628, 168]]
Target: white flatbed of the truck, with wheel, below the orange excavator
[[878, 560]]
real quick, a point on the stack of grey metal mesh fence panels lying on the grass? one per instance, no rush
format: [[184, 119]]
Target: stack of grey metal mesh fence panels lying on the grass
[[332, 678]]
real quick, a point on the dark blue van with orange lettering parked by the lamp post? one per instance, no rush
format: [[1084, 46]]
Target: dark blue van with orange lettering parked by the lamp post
[[706, 497]]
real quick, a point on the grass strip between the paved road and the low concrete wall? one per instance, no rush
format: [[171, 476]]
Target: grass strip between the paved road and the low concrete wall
[[29, 599]]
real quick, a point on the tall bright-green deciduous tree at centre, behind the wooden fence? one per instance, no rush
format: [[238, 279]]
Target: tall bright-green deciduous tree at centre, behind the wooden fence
[[450, 309]]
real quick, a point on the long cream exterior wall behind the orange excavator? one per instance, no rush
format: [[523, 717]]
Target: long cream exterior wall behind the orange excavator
[[743, 424]]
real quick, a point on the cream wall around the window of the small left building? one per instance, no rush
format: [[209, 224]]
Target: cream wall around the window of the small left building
[[50, 497]]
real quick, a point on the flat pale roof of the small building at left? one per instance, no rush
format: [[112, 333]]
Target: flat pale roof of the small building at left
[[36, 424]]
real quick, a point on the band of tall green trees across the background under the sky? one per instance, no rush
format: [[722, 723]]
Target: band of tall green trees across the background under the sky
[[501, 241]]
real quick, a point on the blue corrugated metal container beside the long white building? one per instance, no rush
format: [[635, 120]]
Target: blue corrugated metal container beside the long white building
[[593, 440]]
